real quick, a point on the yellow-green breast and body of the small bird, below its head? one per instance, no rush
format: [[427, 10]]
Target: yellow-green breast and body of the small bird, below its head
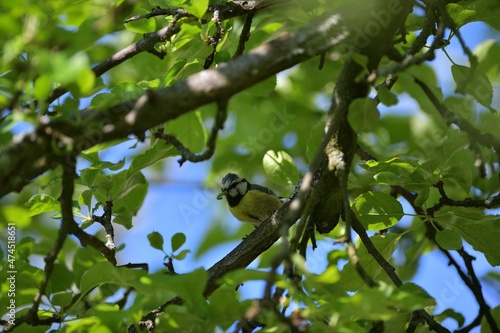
[[255, 207]]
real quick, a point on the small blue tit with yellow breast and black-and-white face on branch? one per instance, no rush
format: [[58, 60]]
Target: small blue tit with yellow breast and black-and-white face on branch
[[249, 203]]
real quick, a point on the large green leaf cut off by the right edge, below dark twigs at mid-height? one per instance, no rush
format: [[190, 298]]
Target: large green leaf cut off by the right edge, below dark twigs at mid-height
[[479, 230]]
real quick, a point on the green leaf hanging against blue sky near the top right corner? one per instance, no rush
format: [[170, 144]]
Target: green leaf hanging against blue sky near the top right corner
[[478, 86]]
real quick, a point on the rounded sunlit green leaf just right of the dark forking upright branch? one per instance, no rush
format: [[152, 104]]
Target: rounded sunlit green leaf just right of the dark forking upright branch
[[377, 210]]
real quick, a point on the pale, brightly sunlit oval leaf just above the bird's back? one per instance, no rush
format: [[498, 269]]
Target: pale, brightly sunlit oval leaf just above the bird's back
[[280, 168]]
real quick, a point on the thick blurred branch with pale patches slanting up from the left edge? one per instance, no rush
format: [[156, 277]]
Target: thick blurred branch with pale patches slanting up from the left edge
[[32, 154]]
